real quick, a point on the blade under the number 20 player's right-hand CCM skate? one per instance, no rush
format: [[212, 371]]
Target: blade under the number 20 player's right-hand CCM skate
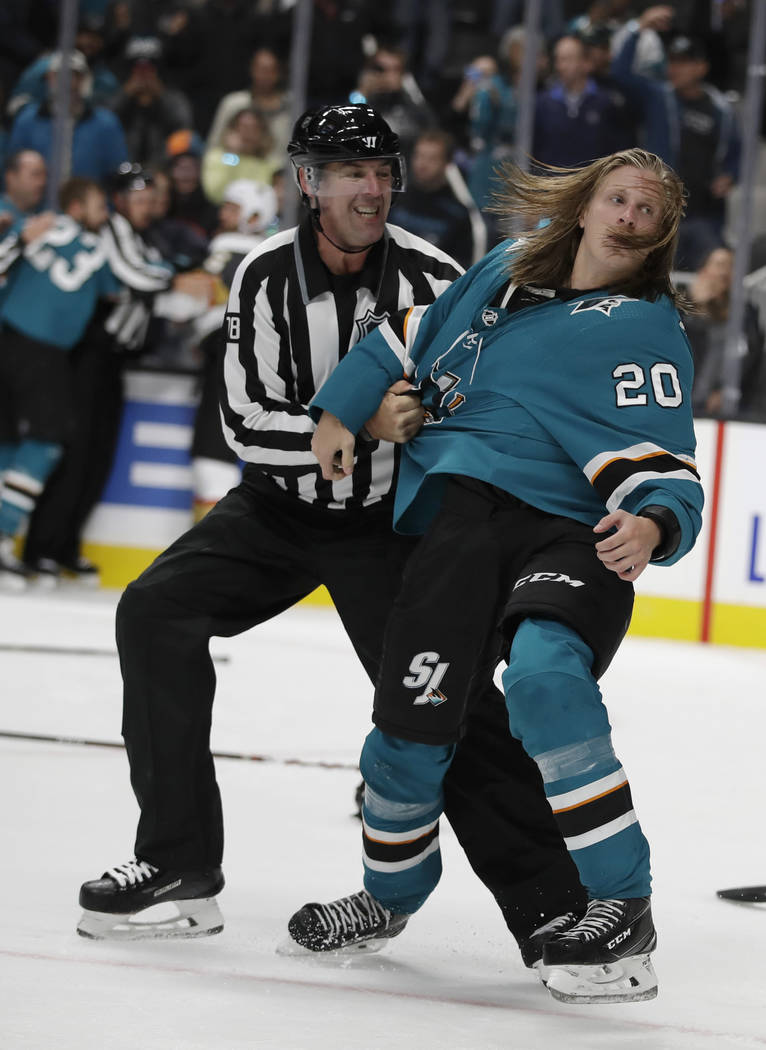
[[631, 980]]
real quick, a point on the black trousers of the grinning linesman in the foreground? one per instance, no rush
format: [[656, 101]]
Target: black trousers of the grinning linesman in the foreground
[[257, 554]]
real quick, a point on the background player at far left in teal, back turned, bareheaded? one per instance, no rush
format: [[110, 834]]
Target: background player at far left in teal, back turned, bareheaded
[[60, 277]]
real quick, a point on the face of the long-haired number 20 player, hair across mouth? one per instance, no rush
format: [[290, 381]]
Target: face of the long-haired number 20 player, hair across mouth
[[629, 200]]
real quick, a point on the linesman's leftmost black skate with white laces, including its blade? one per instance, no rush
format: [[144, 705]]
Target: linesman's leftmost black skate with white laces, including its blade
[[113, 902]]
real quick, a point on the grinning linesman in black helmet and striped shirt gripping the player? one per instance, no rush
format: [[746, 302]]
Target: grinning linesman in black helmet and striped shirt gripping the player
[[297, 305]]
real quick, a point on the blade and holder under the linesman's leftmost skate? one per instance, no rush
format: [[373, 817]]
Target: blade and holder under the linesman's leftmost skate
[[200, 918]]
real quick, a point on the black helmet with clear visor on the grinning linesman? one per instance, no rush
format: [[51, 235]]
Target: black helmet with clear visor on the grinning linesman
[[350, 133]]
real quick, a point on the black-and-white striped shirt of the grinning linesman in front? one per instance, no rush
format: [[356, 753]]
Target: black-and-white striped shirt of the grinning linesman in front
[[288, 324]]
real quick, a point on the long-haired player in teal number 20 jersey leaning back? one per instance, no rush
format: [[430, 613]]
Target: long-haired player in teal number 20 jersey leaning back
[[556, 463]]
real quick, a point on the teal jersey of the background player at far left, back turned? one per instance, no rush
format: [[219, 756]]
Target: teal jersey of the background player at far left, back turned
[[56, 284]]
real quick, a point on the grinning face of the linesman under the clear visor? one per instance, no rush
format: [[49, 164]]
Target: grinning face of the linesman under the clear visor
[[355, 198]]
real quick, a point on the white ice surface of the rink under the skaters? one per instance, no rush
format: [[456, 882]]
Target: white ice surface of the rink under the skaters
[[690, 724]]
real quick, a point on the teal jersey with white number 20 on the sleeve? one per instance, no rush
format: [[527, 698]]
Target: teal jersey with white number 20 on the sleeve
[[578, 407]]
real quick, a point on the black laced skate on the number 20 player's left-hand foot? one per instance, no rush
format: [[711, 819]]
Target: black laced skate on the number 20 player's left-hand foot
[[356, 922]]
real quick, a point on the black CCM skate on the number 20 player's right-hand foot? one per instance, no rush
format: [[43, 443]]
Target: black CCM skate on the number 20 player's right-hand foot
[[605, 958]]
